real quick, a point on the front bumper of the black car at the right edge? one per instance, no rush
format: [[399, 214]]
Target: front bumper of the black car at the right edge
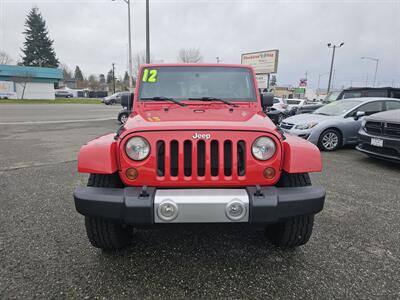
[[389, 151]]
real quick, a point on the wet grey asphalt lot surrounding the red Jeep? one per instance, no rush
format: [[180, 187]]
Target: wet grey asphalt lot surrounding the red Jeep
[[44, 253]]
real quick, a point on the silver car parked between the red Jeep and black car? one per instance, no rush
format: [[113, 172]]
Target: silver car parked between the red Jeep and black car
[[336, 124]]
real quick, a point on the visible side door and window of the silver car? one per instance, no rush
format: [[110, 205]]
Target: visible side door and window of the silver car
[[353, 125]]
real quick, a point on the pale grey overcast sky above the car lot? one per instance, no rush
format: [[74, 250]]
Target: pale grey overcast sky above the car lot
[[93, 34]]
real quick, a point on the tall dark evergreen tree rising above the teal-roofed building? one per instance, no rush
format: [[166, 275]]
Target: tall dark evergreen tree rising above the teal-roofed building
[[38, 47]]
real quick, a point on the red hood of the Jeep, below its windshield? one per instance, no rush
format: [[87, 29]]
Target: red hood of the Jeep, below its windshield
[[199, 118]]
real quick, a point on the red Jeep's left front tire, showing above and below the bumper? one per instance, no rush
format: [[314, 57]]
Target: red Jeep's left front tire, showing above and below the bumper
[[106, 234]]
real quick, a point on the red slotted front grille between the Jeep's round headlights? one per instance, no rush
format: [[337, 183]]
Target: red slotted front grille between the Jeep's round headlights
[[201, 158]]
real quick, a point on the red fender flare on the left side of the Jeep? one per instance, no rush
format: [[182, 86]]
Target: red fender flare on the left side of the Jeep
[[99, 156]]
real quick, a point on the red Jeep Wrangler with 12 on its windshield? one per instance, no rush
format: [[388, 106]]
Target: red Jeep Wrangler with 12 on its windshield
[[198, 148]]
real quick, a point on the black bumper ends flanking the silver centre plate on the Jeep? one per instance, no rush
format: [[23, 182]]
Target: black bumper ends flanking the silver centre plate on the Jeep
[[129, 205]]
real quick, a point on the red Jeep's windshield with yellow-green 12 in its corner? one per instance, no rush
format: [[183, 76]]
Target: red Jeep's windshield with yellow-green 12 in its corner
[[182, 83]]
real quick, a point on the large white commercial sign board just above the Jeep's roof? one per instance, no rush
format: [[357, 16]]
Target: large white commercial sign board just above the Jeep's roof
[[263, 62]]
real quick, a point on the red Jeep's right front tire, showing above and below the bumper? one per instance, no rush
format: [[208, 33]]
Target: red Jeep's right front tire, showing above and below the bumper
[[297, 231]]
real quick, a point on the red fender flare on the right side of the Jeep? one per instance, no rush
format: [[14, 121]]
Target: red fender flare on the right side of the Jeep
[[300, 156]]
